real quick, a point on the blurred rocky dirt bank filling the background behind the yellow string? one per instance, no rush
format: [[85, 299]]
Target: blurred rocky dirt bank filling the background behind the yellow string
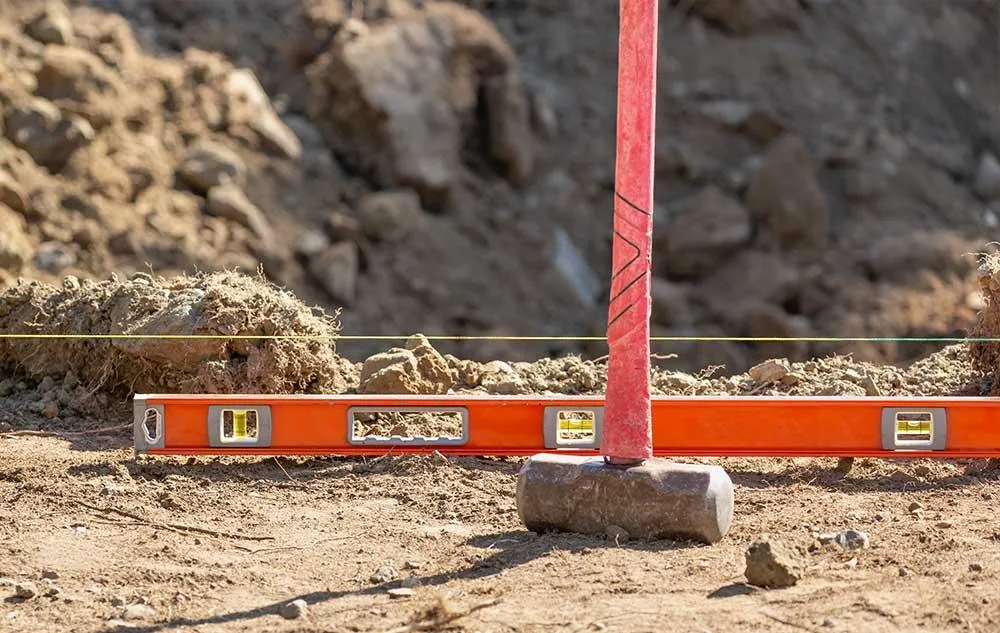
[[822, 168]]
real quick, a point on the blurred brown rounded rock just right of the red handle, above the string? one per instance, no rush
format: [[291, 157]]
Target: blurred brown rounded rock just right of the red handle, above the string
[[706, 228]]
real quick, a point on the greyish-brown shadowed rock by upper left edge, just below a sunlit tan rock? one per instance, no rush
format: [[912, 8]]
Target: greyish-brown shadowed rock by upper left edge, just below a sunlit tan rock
[[38, 127]]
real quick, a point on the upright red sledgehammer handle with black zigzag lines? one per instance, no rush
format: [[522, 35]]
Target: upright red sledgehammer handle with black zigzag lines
[[627, 433]]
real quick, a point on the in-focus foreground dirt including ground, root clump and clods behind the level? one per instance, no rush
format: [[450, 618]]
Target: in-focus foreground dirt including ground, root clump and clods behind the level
[[93, 538]]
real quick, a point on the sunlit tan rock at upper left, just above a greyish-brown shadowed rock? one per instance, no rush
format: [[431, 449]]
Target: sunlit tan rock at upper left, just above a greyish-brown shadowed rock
[[80, 80]]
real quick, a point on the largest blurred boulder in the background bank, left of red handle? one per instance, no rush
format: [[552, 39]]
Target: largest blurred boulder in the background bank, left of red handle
[[399, 100]]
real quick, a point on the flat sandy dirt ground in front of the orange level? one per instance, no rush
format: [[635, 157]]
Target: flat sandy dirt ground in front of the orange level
[[324, 530]]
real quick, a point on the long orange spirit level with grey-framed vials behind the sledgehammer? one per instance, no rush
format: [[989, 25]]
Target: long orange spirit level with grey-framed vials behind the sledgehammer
[[525, 425]]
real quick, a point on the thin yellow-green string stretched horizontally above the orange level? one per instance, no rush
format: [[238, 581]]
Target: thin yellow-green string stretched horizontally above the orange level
[[385, 337]]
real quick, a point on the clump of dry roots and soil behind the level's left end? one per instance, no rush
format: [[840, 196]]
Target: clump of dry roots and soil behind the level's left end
[[224, 304]]
